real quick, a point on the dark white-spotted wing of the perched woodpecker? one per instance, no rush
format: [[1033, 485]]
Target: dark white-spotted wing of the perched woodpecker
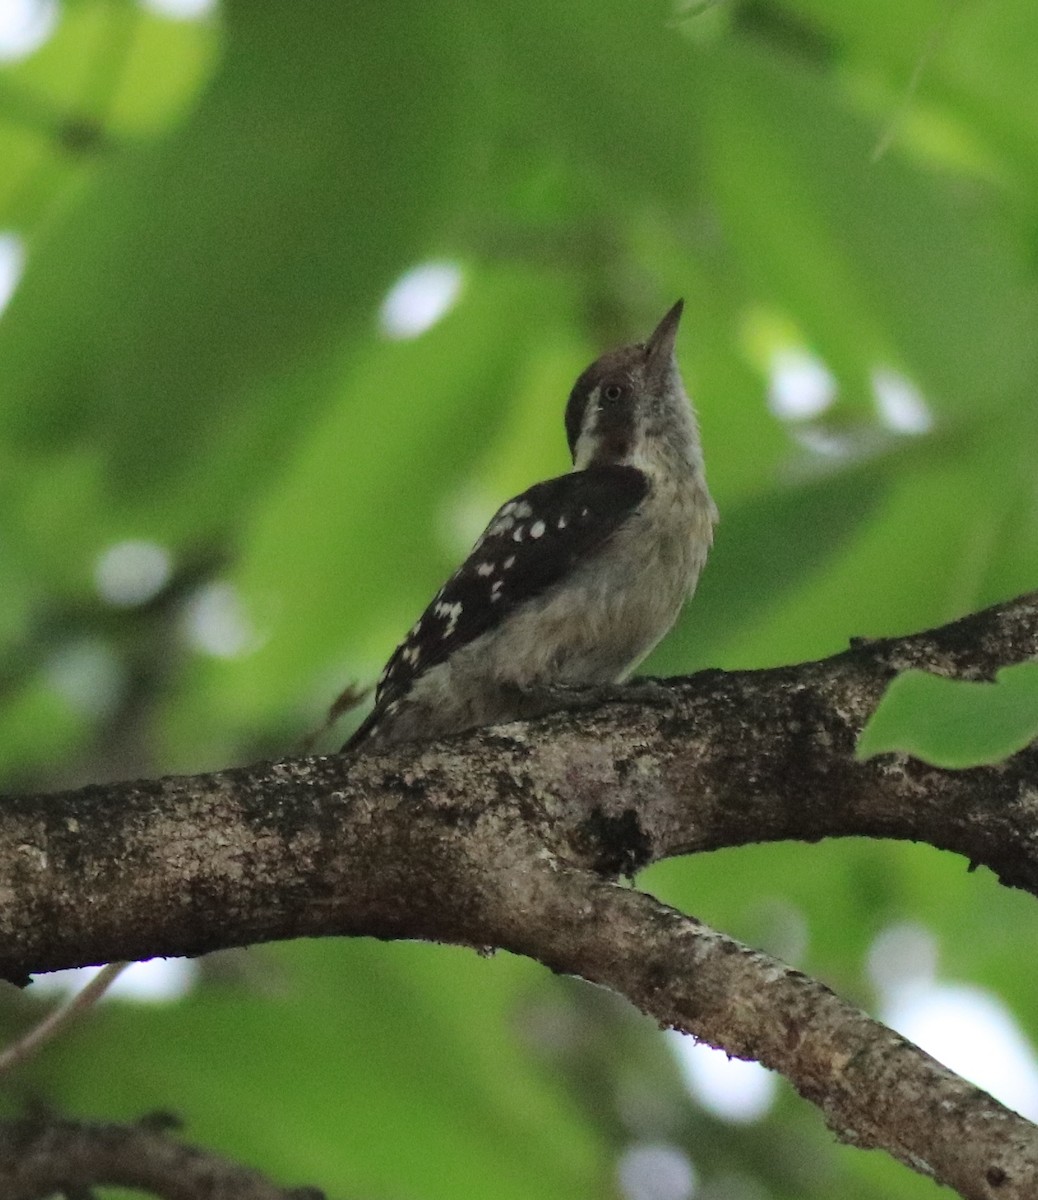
[[532, 543]]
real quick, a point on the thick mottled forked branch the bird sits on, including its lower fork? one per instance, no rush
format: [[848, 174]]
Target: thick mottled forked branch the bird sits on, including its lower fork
[[502, 838]]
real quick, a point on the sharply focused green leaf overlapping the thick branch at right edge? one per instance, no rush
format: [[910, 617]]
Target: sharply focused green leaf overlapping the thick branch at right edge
[[951, 723]]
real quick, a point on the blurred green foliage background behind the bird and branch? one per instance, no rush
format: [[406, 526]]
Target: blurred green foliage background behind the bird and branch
[[212, 213]]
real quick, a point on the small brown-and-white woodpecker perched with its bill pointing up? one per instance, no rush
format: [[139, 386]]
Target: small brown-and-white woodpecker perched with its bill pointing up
[[578, 579]]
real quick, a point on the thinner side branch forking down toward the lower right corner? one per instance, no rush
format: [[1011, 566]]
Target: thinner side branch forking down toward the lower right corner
[[875, 1089]]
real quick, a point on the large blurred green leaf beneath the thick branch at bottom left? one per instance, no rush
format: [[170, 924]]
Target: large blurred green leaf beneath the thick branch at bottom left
[[403, 1071]]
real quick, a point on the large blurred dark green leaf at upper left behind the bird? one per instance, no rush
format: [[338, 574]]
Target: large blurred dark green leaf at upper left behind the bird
[[197, 272]]
